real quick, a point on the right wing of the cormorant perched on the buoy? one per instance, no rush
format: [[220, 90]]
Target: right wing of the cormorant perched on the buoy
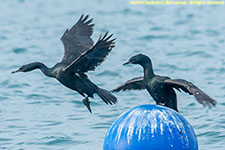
[[192, 89]]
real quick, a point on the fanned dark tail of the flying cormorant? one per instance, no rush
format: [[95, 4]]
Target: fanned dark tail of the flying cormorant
[[106, 96]]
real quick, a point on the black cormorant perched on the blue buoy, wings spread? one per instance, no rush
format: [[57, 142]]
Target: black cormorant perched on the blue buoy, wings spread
[[161, 88]]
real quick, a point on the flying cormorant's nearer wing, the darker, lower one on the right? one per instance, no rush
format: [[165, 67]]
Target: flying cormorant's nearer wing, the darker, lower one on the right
[[90, 59]]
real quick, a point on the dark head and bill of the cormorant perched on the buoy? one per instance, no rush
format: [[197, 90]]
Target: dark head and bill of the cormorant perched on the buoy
[[138, 59]]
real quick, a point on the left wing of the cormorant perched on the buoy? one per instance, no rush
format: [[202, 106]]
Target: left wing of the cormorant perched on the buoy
[[133, 84]]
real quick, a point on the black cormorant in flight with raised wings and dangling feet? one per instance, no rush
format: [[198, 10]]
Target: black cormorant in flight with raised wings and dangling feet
[[80, 56]]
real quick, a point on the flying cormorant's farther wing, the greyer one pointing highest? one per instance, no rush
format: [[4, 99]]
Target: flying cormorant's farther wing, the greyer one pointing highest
[[77, 39]]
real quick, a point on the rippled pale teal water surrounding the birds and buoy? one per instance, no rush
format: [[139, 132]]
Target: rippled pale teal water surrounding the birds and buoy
[[37, 112]]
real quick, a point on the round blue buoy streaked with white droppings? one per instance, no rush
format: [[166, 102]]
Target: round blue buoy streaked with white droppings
[[150, 127]]
